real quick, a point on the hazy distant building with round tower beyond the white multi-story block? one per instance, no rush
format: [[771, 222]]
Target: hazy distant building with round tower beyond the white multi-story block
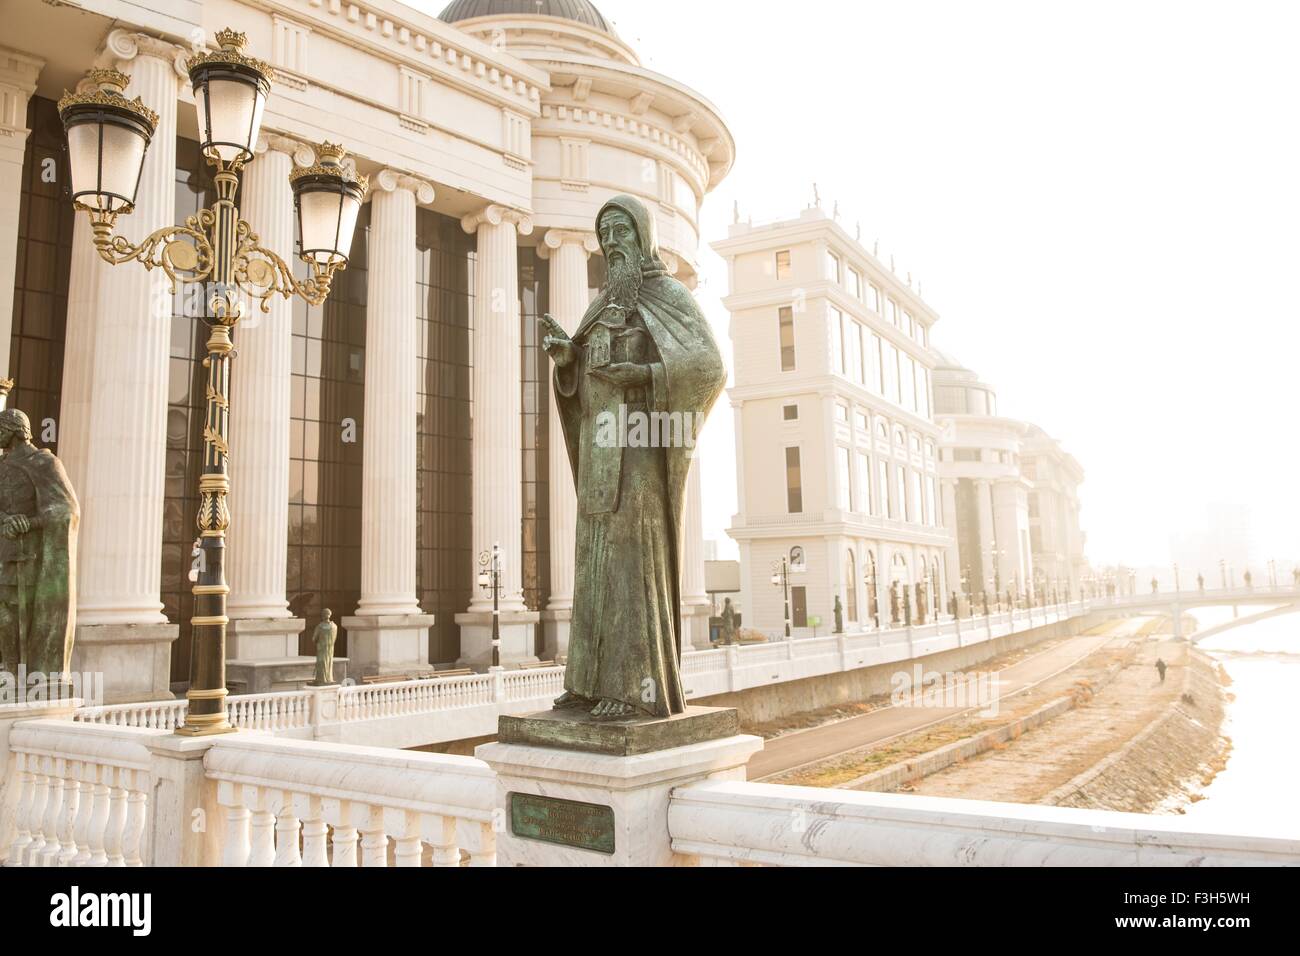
[[1011, 492]]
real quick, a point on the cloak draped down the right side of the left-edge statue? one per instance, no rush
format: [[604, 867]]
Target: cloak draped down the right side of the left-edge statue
[[51, 585]]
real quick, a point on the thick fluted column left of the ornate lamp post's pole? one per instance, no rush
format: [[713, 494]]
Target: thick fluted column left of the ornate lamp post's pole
[[122, 630]]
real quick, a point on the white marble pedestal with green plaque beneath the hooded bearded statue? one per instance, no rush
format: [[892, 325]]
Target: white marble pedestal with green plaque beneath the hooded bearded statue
[[597, 794]]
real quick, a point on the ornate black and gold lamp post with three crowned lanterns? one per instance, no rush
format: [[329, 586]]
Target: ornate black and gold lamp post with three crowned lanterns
[[107, 140]]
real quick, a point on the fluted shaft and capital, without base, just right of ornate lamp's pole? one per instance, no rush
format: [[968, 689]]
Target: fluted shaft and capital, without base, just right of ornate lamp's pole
[[259, 401]]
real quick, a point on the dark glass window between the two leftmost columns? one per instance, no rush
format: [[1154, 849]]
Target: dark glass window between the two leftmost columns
[[41, 280]]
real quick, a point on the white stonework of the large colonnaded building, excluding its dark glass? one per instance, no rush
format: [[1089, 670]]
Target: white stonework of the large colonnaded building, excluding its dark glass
[[517, 127]]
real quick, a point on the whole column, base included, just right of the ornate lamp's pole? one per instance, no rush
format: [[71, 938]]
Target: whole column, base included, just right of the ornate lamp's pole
[[262, 639]]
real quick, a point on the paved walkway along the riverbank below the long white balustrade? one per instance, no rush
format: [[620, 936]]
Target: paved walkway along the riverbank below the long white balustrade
[[800, 749]]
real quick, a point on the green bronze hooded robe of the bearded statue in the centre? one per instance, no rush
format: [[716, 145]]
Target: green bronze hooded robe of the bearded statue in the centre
[[626, 630]]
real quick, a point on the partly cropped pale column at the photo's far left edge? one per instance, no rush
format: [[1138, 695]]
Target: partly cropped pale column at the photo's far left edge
[[19, 75]]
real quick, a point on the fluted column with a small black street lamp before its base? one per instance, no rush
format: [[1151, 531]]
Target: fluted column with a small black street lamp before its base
[[497, 462]]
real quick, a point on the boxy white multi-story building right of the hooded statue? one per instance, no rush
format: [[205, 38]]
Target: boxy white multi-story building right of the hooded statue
[[837, 444]]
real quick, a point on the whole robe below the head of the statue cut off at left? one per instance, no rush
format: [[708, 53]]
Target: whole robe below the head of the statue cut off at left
[[41, 566]]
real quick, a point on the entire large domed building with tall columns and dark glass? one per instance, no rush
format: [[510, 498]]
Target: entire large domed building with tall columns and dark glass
[[384, 442]]
